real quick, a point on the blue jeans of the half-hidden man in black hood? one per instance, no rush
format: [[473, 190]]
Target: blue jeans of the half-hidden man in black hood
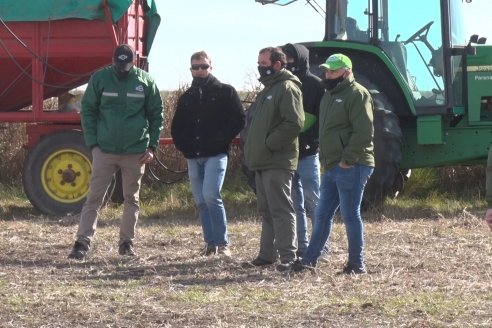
[[305, 196]]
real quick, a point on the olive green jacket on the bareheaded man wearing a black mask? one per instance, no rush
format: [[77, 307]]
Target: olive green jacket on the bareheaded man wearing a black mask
[[279, 116]]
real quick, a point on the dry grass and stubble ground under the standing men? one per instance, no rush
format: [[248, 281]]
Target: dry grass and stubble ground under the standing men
[[429, 266]]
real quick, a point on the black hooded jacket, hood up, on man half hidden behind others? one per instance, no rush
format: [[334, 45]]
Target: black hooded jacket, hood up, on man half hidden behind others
[[312, 92]]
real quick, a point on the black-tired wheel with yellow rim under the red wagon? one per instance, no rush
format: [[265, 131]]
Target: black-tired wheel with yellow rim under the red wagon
[[57, 173]]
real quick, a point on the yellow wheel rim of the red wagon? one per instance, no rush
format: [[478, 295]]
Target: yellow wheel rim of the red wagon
[[65, 176]]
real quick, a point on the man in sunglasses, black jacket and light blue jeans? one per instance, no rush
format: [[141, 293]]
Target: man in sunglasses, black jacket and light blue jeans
[[208, 116]]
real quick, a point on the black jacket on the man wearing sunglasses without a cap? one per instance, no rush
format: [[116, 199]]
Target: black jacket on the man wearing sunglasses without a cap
[[207, 119]]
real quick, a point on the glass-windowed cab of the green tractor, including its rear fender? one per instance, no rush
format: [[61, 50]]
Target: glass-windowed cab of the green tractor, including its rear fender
[[413, 50]]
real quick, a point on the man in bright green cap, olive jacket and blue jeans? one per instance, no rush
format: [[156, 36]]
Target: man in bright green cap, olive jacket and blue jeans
[[346, 137]]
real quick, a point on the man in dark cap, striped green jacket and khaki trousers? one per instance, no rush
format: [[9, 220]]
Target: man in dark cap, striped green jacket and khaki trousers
[[122, 117]]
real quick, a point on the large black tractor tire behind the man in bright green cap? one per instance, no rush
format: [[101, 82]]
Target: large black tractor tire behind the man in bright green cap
[[386, 180]]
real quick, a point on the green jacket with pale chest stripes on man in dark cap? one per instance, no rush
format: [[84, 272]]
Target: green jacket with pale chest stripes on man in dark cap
[[122, 116]]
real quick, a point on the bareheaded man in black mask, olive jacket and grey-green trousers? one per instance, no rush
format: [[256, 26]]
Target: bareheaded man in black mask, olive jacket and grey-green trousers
[[271, 150]]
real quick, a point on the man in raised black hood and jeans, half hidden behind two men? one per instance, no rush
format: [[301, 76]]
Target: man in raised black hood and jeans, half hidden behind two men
[[305, 184]]
